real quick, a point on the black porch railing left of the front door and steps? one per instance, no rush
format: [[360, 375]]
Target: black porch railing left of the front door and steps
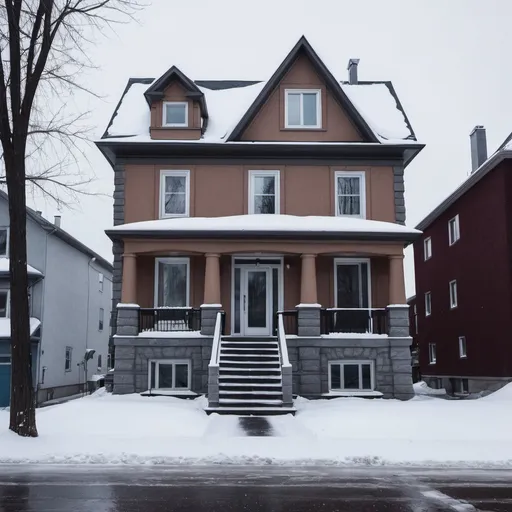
[[169, 319]]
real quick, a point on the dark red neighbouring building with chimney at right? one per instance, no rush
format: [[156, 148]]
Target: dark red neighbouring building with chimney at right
[[463, 278]]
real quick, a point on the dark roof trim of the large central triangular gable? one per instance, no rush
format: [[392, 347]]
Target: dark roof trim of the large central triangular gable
[[303, 47]]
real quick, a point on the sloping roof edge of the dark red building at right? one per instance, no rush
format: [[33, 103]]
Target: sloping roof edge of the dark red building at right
[[503, 152]]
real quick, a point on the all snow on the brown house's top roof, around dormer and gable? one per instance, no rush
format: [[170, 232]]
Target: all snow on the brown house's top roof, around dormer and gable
[[226, 107]]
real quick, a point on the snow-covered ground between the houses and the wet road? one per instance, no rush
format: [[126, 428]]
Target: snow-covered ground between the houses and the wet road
[[134, 430]]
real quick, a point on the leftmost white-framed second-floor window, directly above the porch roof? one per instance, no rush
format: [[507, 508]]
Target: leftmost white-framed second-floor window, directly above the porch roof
[[174, 193]]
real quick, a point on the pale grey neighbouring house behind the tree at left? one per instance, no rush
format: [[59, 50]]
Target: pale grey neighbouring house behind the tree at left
[[70, 291]]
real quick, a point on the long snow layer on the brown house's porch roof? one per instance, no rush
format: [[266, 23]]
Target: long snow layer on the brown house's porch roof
[[269, 223]]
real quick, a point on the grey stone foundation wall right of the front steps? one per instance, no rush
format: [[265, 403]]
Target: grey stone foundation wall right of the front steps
[[391, 357]]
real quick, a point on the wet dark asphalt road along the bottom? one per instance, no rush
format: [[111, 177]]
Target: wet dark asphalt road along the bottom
[[251, 489]]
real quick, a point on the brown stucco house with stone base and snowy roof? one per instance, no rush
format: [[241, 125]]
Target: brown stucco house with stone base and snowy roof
[[259, 236]]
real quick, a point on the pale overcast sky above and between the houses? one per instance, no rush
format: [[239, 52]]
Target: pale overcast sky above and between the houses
[[448, 60]]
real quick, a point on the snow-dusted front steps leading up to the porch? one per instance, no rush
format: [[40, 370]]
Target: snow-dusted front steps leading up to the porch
[[250, 378]]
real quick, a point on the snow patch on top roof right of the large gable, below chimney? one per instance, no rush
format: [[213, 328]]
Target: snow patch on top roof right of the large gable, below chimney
[[379, 108]]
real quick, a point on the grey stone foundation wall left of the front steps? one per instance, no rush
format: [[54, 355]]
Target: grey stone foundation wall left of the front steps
[[133, 354]]
